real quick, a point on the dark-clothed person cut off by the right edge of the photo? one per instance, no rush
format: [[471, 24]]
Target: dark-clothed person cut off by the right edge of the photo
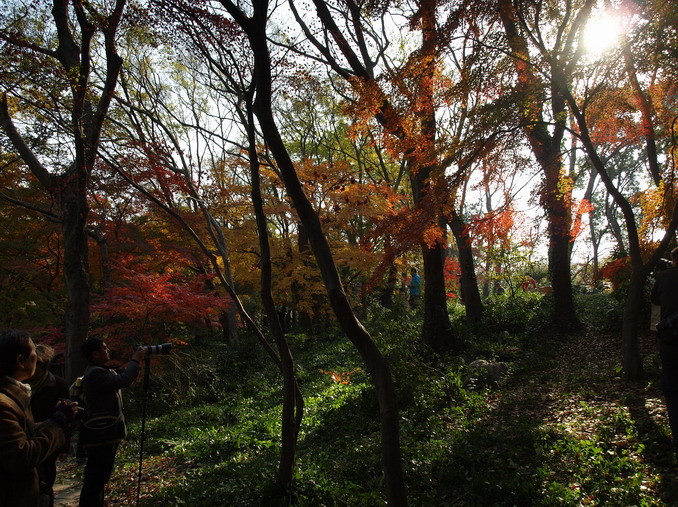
[[665, 294]]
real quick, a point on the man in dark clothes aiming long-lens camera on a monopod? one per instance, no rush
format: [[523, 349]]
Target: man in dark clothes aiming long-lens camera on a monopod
[[104, 427]]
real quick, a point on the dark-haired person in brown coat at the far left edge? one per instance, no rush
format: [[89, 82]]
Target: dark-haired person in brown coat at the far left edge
[[25, 444]]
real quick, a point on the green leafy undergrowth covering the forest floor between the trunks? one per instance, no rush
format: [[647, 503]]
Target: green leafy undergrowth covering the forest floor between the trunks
[[562, 429]]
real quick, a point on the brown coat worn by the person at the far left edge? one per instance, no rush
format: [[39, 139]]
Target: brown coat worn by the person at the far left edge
[[23, 446]]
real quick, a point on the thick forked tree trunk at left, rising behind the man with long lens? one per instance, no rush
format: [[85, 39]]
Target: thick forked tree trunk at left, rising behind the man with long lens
[[87, 117]]
